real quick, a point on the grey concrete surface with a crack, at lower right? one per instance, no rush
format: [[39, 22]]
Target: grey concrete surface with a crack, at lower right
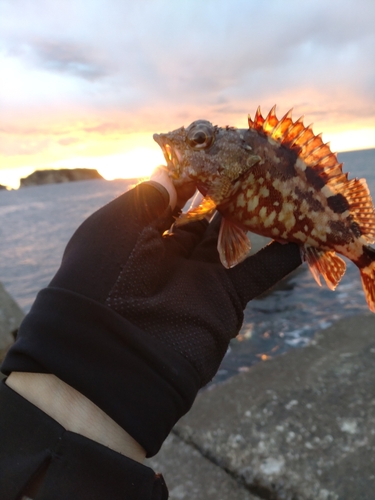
[[298, 427]]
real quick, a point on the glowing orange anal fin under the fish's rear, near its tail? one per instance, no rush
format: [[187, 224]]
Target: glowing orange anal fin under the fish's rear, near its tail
[[325, 263]]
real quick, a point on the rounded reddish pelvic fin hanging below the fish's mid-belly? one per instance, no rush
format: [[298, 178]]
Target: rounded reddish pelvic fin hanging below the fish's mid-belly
[[233, 244]]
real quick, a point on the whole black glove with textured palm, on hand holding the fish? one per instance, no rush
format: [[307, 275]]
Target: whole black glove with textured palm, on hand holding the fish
[[138, 322]]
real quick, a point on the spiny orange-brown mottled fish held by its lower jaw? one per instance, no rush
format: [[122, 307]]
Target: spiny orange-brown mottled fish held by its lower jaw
[[278, 179]]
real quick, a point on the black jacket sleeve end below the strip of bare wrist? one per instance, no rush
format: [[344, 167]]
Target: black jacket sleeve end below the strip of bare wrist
[[75, 467]]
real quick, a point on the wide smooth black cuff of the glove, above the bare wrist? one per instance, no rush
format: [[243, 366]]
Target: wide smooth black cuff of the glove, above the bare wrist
[[143, 385]]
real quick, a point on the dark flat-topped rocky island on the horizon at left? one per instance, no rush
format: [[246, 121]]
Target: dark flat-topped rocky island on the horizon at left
[[57, 176]]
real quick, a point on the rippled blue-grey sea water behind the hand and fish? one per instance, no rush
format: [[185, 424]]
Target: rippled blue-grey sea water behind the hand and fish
[[36, 223]]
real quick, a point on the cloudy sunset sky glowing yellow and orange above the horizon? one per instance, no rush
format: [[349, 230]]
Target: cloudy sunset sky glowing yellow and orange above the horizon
[[86, 83]]
